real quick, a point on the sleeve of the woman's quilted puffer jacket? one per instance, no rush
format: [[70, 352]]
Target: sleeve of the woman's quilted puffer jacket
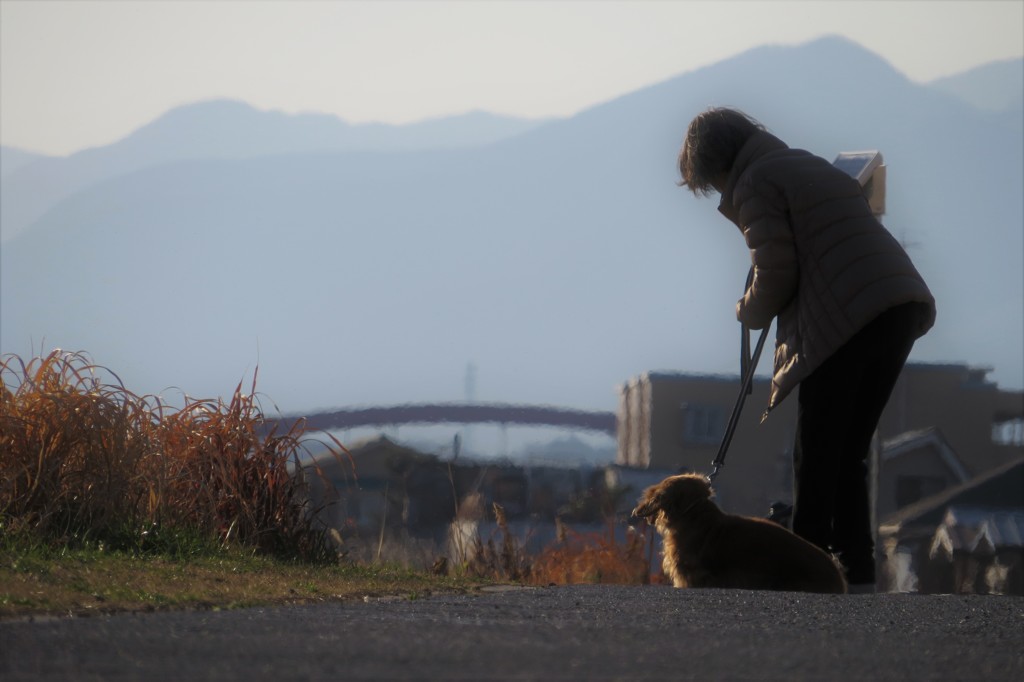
[[766, 227]]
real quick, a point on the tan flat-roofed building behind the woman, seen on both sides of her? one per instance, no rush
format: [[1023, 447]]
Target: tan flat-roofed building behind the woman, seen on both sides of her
[[945, 424]]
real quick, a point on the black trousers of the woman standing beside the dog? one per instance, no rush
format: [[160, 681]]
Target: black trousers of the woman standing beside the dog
[[840, 405]]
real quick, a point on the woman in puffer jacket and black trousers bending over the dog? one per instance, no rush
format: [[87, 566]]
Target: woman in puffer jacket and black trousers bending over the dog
[[849, 304]]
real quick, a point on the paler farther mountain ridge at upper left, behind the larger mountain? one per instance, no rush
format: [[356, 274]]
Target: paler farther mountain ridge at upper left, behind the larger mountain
[[230, 130]]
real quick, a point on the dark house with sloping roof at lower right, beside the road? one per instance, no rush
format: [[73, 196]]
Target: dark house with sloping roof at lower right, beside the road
[[967, 539]]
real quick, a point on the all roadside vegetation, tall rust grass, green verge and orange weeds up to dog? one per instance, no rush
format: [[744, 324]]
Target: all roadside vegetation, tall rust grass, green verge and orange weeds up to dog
[[112, 501]]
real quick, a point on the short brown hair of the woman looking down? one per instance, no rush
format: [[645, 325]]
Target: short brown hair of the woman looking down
[[713, 141]]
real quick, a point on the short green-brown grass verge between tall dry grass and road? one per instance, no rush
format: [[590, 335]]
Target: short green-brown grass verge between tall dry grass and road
[[92, 581]]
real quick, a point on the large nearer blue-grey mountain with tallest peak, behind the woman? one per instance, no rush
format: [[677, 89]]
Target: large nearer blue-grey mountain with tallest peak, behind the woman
[[561, 262]]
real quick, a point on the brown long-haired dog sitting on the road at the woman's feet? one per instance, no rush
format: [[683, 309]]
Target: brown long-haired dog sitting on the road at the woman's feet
[[707, 548]]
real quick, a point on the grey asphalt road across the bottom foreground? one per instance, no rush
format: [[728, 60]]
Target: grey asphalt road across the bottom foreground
[[566, 633]]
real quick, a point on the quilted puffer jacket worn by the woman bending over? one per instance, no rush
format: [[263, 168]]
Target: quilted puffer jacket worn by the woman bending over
[[823, 264]]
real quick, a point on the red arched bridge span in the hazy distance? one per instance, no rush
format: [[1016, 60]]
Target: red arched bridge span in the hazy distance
[[444, 413]]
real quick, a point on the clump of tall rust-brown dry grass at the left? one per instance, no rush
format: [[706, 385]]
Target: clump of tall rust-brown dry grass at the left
[[86, 461]]
